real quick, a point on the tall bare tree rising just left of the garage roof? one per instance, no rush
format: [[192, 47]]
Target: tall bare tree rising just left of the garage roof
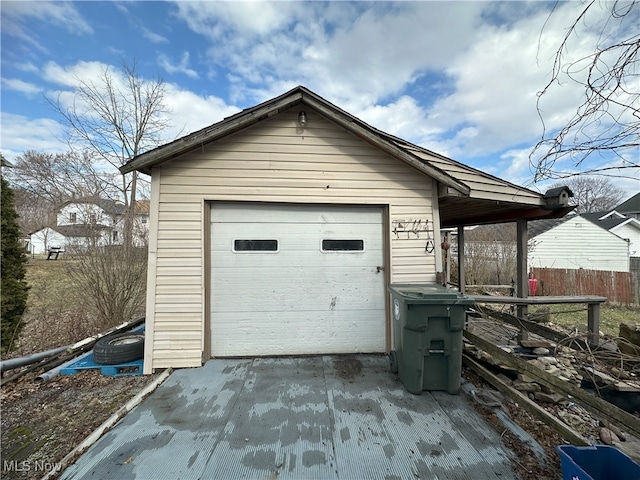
[[118, 116]]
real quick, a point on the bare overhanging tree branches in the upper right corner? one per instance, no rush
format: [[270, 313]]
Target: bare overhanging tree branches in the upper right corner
[[607, 122]]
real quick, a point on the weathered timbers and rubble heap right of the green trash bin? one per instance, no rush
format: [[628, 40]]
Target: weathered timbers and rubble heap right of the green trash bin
[[548, 378]]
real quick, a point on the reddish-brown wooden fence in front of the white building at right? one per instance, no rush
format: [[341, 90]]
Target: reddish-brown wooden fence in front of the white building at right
[[619, 287]]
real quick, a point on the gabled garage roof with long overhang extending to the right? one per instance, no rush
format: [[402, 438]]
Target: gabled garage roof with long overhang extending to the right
[[467, 196]]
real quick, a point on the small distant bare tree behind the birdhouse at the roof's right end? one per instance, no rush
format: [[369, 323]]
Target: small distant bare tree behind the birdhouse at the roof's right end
[[592, 194]]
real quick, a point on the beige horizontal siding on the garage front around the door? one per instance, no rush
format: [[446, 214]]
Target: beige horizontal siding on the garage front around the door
[[273, 161]]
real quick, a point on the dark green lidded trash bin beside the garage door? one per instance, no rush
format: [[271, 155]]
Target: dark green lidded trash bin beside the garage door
[[428, 320]]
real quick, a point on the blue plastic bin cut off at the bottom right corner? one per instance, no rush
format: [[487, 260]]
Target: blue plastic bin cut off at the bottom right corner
[[599, 462]]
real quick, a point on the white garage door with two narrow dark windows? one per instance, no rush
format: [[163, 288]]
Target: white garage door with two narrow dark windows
[[296, 279]]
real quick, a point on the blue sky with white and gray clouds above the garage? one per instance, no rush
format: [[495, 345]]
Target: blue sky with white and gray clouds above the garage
[[459, 78]]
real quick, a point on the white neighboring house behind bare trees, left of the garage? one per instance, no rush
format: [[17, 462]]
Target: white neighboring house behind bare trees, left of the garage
[[85, 222]]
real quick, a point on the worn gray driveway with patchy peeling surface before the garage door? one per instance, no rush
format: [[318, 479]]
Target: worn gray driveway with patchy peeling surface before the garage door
[[324, 417]]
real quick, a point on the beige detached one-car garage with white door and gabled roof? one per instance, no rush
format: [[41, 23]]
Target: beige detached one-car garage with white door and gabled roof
[[278, 230]]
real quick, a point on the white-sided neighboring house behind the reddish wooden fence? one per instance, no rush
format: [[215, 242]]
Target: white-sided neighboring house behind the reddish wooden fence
[[593, 241]]
